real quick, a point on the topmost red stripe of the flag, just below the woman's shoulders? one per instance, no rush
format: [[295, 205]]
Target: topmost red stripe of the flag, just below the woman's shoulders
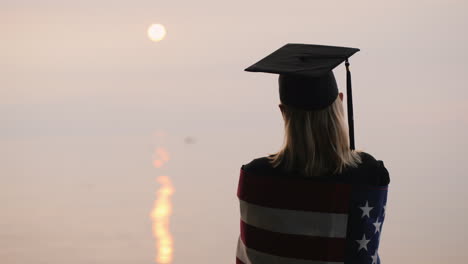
[[294, 193]]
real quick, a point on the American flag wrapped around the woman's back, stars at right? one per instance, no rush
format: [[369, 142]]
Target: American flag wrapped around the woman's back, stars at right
[[304, 221]]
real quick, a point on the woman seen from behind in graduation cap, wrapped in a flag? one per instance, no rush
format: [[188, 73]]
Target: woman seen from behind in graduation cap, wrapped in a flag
[[316, 200]]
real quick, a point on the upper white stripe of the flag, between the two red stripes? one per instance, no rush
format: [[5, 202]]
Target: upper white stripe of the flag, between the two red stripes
[[294, 221]]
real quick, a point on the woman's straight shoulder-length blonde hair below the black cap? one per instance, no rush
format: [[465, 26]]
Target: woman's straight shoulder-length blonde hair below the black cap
[[316, 142]]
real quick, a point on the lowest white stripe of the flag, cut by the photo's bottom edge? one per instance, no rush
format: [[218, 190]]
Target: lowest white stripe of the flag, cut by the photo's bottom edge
[[252, 256]]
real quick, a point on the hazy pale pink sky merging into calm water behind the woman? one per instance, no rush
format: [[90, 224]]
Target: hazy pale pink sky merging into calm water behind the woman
[[83, 92]]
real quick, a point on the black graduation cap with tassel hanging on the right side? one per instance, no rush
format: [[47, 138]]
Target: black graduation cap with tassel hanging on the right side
[[306, 79]]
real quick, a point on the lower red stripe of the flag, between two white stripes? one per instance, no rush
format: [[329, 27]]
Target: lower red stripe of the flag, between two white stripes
[[293, 246]]
